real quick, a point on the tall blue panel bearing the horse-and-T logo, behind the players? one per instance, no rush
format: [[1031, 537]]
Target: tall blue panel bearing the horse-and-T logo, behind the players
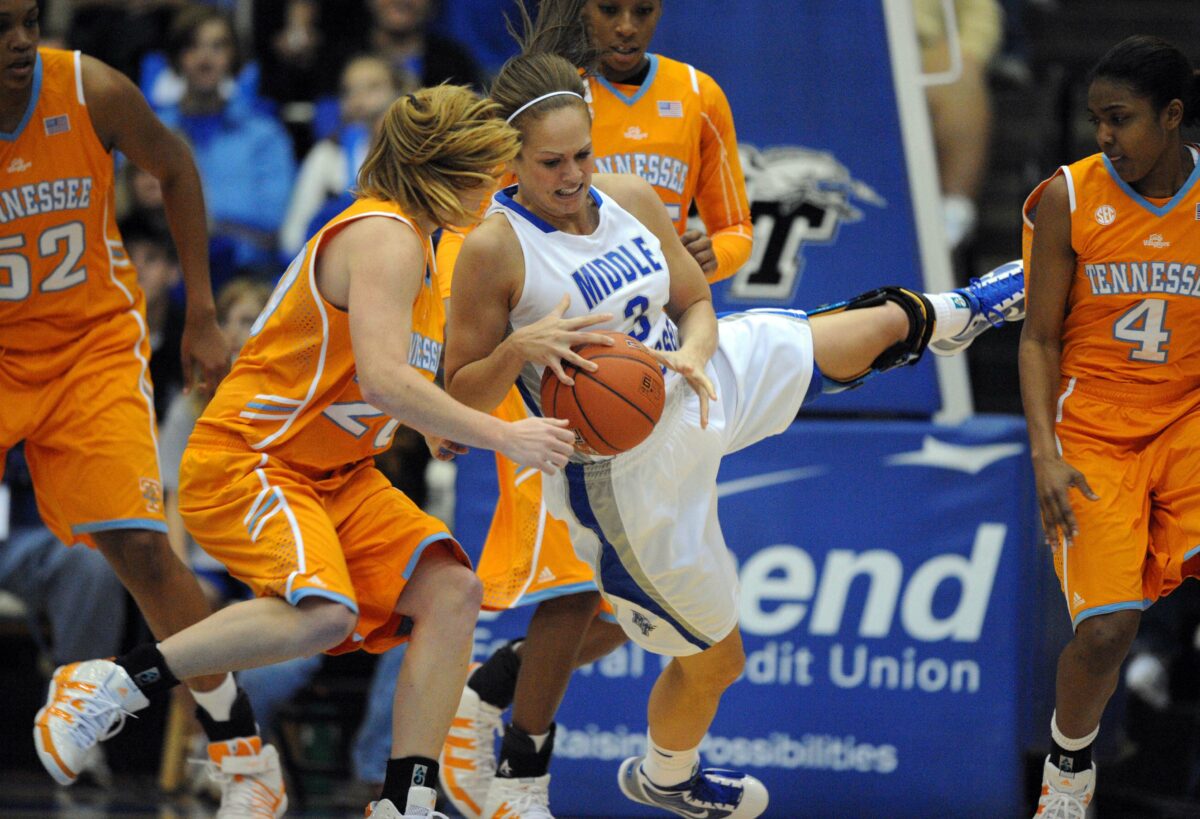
[[817, 106]]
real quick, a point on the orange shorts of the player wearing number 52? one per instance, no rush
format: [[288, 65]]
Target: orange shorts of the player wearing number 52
[[86, 413]]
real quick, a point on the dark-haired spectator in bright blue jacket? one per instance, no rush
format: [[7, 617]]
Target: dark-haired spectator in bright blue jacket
[[245, 157]]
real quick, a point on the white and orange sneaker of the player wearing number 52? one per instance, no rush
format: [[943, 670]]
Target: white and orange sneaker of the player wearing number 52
[[251, 779]]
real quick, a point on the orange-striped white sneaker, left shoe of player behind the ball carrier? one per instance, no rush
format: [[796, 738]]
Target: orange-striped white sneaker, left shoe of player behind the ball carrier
[[467, 762]]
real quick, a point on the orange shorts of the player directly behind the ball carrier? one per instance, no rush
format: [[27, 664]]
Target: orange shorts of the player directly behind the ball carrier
[[529, 555]]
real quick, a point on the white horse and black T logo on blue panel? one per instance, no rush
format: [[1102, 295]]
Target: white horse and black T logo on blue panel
[[799, 198]]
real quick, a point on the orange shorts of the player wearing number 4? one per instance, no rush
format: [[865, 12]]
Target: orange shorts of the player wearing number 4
[[1139, 450]]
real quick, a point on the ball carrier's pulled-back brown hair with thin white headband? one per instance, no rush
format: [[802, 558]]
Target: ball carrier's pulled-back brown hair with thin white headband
[[554, 49]]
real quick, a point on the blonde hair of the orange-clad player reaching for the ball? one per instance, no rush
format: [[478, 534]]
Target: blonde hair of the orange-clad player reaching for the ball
[[433, 146]]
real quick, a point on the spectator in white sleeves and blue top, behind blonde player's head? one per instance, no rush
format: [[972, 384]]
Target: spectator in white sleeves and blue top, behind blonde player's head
[[369, 86]]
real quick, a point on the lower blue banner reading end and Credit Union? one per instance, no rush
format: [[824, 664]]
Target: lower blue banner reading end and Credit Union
[[889, 590]]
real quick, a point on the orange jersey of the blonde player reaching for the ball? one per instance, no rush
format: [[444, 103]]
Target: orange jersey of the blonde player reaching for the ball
[[293, 392]]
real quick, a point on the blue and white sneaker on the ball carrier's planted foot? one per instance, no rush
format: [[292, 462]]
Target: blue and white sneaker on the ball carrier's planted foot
[[711, 794]]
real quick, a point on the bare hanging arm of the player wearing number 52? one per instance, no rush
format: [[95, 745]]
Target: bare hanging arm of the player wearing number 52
[[124, 122]]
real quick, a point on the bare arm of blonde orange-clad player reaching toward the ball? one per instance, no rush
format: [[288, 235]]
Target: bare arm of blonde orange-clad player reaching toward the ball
[[375, 268]]
